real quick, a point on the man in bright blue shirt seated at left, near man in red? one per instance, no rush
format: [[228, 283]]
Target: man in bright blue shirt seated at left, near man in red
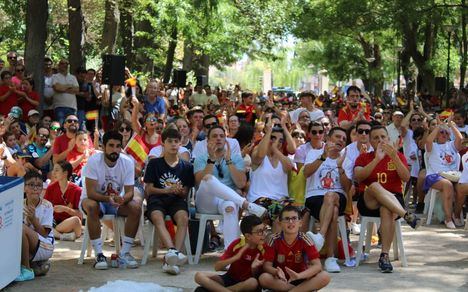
[[41, 153]]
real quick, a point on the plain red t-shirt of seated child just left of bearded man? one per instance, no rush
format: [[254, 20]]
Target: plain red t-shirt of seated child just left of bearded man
[[71, 198]]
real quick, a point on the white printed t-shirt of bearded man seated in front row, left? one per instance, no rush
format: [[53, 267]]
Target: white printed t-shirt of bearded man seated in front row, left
[[110, 180]]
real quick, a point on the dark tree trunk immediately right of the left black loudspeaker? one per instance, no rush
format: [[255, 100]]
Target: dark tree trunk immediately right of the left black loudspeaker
[[127, 30]]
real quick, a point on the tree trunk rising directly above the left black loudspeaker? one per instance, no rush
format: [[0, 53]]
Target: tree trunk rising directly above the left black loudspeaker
[[111, 25]]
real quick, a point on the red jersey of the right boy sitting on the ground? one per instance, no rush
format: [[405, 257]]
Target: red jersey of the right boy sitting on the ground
[[295, 256]]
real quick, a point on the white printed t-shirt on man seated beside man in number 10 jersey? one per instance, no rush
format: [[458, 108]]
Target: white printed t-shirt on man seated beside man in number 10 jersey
[[325, 179]]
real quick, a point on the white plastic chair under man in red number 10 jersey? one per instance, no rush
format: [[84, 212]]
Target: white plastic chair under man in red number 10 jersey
[[398, 248]]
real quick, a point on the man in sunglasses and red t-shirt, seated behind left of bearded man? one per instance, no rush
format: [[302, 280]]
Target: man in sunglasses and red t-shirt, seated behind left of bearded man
[[64, 143]]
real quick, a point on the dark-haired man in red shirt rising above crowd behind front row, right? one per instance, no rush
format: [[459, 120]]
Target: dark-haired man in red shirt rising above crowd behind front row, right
[[354, 109]]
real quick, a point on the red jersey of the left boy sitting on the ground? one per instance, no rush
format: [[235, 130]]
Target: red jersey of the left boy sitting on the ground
[[240, 270]]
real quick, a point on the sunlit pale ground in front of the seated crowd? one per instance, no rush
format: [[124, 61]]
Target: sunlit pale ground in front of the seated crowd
[[437, 257]]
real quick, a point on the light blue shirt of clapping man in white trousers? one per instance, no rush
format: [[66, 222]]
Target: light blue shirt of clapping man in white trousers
[[220, 169]]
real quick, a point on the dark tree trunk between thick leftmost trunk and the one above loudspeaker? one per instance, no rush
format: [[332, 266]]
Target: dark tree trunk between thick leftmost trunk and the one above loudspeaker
[[77, 35]]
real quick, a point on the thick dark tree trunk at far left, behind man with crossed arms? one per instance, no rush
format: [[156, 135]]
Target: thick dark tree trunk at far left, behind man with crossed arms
[[37, 14]]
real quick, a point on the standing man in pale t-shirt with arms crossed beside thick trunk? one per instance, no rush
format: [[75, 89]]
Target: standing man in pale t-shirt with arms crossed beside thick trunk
[[65, 88]]
